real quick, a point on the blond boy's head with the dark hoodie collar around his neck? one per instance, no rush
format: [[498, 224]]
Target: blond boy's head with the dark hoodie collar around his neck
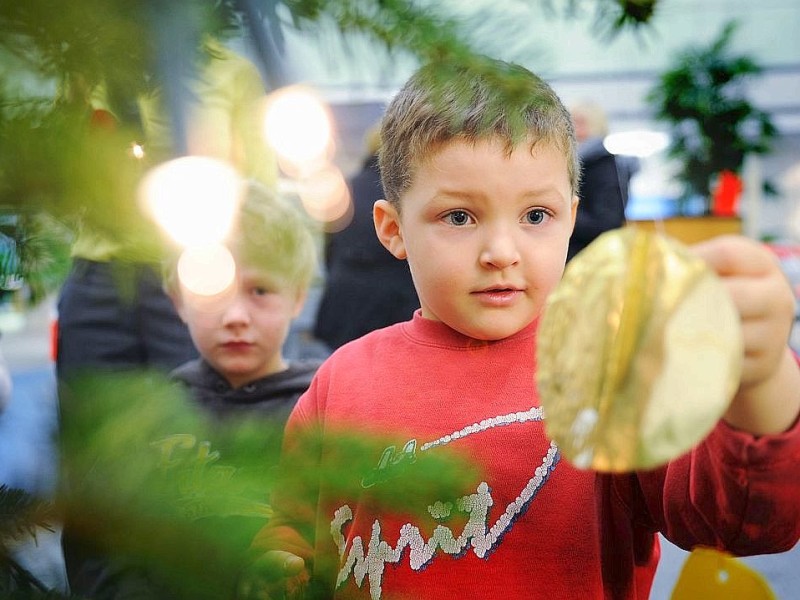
[[240, 335]]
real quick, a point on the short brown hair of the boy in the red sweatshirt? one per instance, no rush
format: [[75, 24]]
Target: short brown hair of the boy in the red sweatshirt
[[489, 99]]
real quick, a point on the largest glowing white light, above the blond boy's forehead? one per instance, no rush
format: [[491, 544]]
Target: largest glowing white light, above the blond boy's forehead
[[194, 199]]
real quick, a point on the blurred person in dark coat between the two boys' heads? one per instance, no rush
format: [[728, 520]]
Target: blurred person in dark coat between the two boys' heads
[[366, 288]]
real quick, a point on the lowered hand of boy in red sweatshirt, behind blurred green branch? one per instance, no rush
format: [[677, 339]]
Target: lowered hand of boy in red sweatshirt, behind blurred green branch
[[272, 576]]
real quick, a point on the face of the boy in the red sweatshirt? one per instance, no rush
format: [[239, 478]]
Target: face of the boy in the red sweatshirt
[[485, 234]]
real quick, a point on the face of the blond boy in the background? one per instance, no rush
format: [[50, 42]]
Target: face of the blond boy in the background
[[241, 332]]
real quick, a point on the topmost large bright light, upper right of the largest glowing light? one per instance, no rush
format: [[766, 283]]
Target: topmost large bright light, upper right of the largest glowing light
[[298, 126]]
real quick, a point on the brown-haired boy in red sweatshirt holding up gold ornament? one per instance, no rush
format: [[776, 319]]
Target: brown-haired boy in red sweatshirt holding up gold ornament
[[480, 199]]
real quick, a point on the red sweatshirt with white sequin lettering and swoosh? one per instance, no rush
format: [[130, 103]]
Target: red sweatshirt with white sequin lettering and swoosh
[[522, 523]]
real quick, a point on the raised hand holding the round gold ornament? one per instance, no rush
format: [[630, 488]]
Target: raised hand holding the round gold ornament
[[768, 398]]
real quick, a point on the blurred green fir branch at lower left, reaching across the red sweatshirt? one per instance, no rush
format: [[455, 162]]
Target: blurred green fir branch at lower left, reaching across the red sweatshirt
[[154, 484]]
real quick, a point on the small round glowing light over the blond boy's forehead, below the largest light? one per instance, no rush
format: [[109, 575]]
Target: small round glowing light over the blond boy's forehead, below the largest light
[[206, 270]]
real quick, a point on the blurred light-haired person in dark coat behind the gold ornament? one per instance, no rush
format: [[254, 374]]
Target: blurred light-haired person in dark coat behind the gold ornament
[[603, 189]]
